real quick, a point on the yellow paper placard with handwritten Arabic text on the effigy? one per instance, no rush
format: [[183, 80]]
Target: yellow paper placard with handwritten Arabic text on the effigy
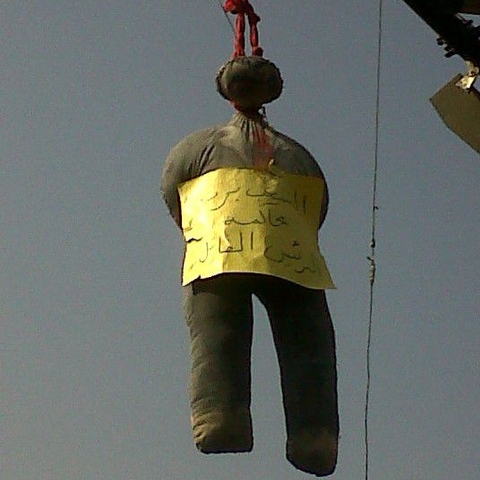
[[260, 221]]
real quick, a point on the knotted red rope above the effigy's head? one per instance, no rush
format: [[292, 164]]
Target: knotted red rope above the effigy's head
[[243, 8]]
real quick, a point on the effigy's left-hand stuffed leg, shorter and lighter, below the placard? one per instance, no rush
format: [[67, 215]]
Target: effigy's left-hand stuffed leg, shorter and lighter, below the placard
[[219, 315]]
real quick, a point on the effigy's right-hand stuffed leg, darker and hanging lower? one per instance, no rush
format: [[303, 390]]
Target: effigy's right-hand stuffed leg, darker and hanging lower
[[305, 343]]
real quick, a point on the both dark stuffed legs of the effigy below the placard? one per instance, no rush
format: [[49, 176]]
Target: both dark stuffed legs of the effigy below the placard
[[220, 319]]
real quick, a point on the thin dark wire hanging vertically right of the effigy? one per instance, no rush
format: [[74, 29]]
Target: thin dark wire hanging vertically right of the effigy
[[371, 258]]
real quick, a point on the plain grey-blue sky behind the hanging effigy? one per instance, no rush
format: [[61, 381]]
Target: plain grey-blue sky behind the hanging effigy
[[93, 345]]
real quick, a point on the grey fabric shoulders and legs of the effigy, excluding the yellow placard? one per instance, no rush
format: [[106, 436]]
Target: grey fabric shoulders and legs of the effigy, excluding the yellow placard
[[220, 319]]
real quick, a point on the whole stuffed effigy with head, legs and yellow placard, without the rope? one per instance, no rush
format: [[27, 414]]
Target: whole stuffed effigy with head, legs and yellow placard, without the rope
[[250, 201]]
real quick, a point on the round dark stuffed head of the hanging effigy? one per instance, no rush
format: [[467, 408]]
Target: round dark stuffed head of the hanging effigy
[[249, 82]]
